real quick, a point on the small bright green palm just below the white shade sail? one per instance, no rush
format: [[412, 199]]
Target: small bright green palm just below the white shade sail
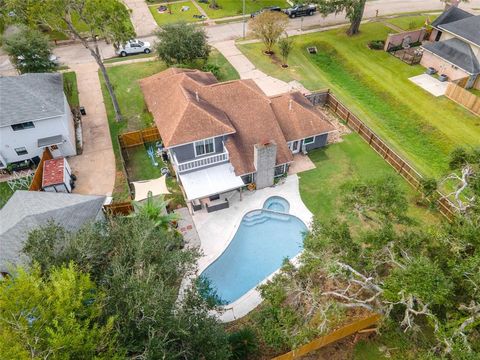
[[155, 209]]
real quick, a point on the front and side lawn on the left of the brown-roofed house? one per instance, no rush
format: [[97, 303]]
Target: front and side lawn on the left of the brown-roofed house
[[124, 79]]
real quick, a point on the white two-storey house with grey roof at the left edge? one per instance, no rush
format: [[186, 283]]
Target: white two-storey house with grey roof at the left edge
[[34, 114]]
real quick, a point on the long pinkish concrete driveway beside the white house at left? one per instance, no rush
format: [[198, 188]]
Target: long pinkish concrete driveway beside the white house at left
[[95, 167]]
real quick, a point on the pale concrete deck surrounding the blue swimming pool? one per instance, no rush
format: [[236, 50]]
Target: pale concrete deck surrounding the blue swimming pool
[[217, 229]]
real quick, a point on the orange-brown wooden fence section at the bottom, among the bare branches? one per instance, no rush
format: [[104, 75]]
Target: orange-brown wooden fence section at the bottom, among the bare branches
[[336, 335]]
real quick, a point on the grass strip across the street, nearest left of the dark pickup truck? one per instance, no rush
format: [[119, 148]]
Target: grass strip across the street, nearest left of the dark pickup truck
[[234, 7]]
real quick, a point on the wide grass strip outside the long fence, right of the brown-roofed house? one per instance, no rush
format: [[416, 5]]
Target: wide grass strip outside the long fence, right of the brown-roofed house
[[375, 86]]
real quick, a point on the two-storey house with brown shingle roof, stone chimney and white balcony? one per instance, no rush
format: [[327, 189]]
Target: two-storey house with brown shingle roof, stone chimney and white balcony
[[221, 136]]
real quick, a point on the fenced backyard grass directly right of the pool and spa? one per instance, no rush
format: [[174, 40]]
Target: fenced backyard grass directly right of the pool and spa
[[351, 159]]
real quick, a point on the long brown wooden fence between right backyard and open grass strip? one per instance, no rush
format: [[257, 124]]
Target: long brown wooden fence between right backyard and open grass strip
[[390, 156]]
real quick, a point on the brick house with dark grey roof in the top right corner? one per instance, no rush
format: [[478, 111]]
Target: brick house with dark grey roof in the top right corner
[[454, 47]]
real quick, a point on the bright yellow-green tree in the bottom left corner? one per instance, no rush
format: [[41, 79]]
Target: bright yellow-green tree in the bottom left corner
[[57, 316]]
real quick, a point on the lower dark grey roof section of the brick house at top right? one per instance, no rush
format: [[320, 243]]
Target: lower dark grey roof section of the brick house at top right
[[456, 52]]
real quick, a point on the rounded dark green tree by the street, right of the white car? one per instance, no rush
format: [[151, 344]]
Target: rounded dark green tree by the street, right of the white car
[[182, 43]]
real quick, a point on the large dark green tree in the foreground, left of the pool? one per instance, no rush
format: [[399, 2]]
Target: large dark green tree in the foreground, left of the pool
[[140, 267]]
